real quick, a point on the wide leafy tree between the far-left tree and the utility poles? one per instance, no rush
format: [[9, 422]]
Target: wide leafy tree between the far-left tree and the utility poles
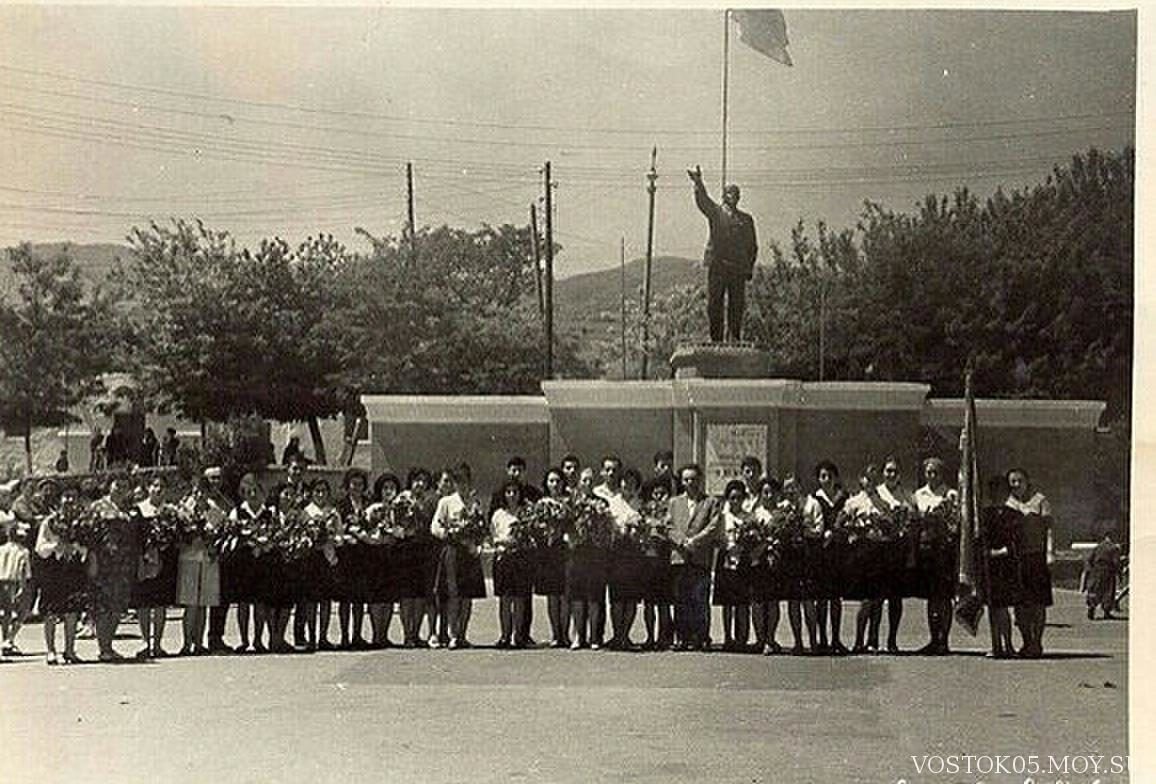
[[224, 332]]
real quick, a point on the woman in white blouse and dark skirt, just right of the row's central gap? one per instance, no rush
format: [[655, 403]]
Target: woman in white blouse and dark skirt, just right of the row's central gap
[[514, 578]]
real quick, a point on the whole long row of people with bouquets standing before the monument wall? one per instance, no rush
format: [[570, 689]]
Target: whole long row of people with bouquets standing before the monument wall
[[588, 539]]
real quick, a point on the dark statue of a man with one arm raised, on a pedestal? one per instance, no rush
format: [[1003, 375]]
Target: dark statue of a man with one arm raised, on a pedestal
[[730, 256]]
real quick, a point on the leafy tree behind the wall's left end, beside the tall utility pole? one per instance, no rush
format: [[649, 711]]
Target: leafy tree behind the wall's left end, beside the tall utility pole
[[458, 320]]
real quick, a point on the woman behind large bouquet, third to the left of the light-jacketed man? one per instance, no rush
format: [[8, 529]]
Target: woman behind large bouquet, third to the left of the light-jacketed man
[[587, 573]]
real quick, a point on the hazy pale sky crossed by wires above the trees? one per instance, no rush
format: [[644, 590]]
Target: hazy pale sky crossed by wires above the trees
[[294, 122]]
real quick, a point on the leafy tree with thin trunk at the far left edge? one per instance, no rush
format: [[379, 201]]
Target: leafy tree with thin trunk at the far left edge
[[56, 342]]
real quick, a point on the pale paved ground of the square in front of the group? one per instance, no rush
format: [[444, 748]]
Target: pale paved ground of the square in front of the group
[[558, 716]]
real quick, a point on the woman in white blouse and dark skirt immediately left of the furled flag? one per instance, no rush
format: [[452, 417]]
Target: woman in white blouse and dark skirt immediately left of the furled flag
[[937, 558]]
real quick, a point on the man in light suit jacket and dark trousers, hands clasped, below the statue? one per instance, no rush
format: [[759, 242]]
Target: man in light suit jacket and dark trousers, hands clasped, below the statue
[[694, 531]]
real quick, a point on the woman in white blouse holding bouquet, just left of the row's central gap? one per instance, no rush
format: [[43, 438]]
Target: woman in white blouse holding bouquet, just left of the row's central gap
[[460, 579]]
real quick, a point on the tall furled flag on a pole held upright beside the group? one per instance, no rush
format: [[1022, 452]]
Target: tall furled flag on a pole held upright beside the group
[[969, 597]]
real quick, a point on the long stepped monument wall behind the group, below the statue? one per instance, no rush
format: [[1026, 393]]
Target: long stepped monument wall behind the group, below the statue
[[789, 425]]
